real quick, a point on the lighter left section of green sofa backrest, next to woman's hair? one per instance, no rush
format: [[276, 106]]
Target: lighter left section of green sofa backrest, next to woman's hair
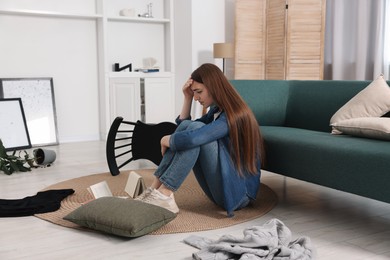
[[266, 98]]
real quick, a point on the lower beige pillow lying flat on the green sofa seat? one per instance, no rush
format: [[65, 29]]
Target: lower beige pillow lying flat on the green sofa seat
[[369, 127]]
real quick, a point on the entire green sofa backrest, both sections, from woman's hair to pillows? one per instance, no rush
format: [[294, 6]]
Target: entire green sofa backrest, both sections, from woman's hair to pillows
[[307, 104]]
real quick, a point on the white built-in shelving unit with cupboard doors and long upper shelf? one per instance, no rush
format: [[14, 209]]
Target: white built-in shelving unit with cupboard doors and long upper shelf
[[122, 40]]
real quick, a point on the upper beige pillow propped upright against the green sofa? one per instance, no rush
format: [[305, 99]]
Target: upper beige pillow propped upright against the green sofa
[[372, 101]]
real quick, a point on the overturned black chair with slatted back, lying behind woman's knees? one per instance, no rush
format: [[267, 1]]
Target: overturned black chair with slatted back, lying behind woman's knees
[[129, 141]]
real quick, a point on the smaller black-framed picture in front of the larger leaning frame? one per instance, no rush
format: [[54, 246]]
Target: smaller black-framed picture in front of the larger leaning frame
[[13, 128]]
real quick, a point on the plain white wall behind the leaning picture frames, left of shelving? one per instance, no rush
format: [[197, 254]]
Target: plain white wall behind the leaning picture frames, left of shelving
[[64, 49]]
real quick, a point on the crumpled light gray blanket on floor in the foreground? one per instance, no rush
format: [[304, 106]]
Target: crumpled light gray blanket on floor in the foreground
[[273, 240]]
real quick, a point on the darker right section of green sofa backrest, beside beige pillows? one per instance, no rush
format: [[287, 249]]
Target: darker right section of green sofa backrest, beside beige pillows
[[312, 103]]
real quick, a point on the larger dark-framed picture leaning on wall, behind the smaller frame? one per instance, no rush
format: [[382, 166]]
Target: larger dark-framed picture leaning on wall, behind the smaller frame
[[37, 95]]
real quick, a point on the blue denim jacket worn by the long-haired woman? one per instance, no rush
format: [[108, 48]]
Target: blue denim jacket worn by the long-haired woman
[[235, 187]]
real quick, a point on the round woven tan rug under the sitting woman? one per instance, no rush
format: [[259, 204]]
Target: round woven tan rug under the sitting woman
[[197, 212]]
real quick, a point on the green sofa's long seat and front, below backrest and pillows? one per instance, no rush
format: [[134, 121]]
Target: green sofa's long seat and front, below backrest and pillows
[[352, 164]]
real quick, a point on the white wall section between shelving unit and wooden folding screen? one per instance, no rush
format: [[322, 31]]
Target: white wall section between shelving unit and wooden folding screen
[[198, 24]]
